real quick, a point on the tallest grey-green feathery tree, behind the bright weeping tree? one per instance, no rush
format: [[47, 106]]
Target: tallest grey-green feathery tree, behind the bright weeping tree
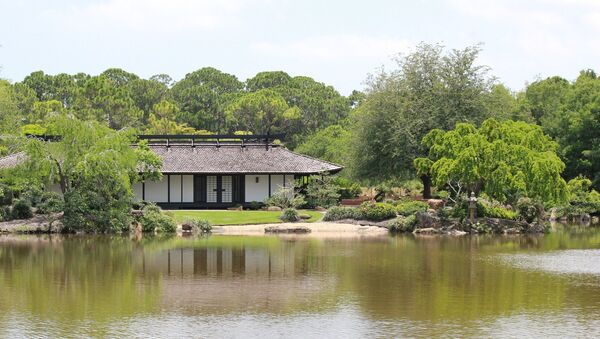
[[429, 89]]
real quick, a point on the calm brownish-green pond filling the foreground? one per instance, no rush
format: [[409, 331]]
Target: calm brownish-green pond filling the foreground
[[302, 286]]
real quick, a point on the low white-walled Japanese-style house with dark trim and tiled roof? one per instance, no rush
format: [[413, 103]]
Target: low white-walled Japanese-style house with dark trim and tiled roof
[[219, 172]]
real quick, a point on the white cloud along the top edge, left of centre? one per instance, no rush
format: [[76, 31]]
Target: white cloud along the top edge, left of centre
[[156, 15]]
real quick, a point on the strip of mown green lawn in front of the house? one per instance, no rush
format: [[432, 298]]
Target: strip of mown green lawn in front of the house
[[225, 217]]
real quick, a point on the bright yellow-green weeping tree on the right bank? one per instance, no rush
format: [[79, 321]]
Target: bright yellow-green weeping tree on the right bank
[[506, 160]]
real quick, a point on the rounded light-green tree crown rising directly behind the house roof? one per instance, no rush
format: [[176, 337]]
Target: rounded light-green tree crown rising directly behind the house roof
[[262, 112]]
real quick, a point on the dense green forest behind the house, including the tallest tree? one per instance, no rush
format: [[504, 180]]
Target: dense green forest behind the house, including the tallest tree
[[376, 133]]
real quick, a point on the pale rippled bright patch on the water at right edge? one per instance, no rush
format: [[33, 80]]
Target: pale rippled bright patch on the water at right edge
[[559, 262]]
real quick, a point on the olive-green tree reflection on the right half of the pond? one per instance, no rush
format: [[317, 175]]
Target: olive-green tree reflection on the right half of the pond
[[436, 278]]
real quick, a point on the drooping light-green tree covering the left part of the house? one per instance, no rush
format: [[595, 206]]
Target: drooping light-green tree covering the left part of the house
[[94, 167]]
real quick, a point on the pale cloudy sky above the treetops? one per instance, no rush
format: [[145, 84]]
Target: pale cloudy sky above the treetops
[[335, 42]]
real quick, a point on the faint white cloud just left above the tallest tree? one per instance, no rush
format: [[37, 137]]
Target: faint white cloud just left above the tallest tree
[[334, 47]]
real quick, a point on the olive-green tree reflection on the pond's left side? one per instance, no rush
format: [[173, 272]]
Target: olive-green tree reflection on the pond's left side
[[73, 279]]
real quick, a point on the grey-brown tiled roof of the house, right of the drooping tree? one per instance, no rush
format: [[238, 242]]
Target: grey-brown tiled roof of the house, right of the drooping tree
[[237, 159]]
